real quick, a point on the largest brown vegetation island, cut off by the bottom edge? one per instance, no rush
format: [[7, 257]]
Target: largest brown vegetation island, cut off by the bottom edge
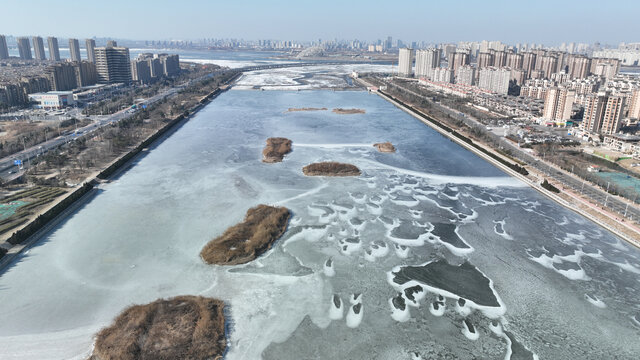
[[184, 327]]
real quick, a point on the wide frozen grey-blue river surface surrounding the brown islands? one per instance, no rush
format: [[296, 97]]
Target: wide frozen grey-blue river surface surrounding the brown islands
[[431, 253]]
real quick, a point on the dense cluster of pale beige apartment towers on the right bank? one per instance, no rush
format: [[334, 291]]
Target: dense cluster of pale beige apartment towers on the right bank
[[568, 83]]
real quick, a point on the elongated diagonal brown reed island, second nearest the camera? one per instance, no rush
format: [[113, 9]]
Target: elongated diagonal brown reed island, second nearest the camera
[[245, 241]]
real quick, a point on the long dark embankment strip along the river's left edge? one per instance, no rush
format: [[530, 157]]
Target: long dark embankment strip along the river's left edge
[[30, 234]]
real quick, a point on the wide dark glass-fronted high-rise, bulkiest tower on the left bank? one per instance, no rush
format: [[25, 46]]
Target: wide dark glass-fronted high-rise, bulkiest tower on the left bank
[[113, 65]]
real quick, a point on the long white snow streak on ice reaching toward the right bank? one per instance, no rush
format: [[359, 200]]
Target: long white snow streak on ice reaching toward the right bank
[[488, 182]]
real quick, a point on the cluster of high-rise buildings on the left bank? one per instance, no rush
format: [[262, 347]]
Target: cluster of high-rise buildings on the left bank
[[109, 64]]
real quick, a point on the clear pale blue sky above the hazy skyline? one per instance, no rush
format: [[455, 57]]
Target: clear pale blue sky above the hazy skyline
[[540, 21]]
